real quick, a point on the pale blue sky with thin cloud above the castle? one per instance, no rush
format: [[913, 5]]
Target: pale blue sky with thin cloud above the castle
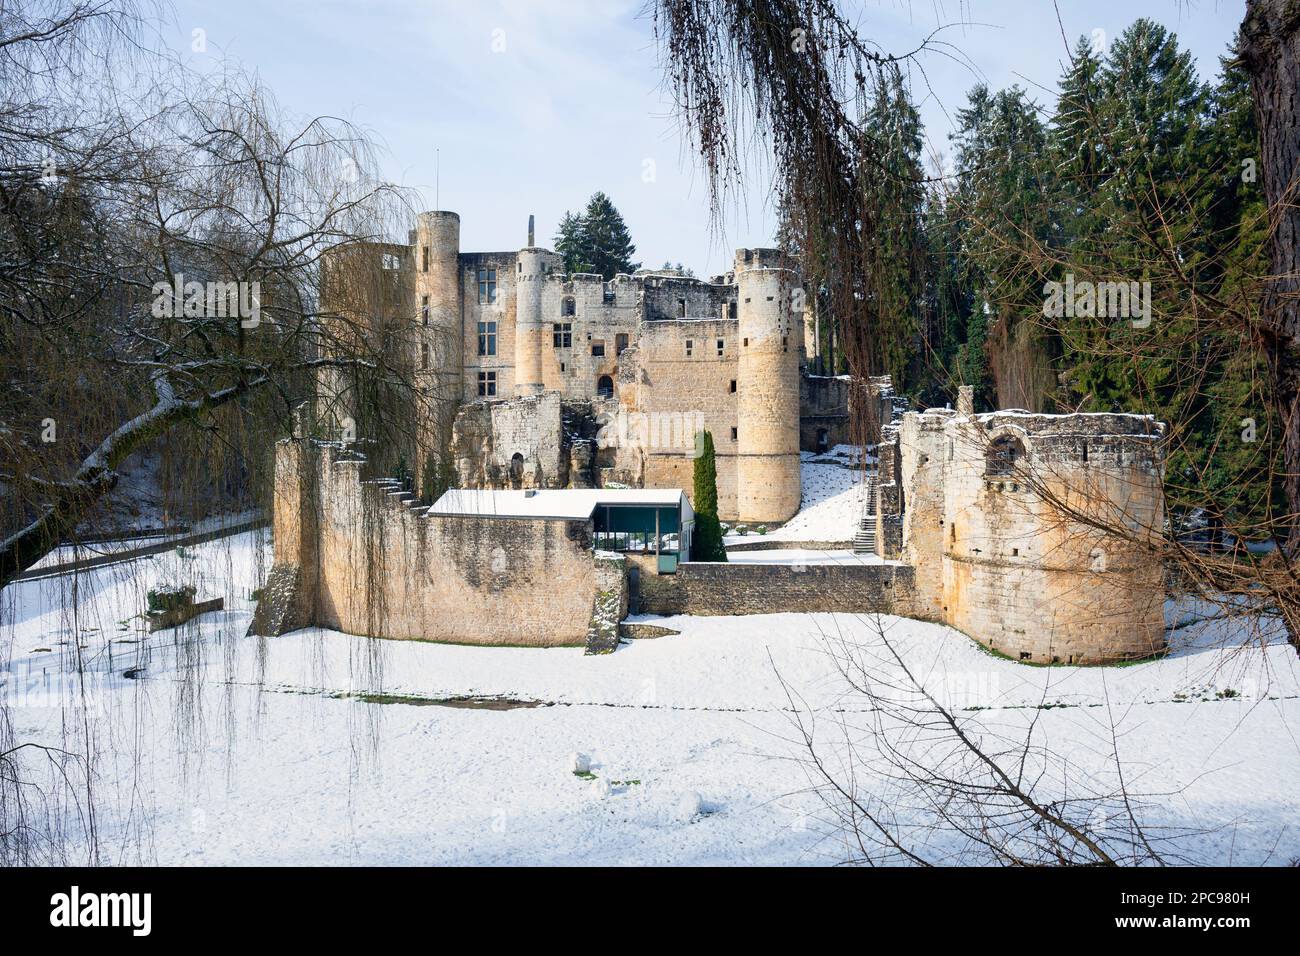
[[571, 101]]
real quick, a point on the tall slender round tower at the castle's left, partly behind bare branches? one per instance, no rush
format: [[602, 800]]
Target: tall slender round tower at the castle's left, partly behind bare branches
[[441, 334]]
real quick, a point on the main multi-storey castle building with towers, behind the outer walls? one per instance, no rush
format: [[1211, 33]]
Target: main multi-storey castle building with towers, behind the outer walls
[[539, 379]]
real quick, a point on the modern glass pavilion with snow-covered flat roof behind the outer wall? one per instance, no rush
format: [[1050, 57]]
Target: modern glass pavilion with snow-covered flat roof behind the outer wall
[[643, 521]]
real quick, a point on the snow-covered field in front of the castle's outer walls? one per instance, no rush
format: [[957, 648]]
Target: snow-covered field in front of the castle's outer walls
[[324, 749]]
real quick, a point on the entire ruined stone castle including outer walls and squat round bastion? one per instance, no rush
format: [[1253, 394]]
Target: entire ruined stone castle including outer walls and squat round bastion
[[569, 409]]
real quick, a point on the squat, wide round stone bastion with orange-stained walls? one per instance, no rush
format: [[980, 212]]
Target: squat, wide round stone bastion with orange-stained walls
[[1035, 534]]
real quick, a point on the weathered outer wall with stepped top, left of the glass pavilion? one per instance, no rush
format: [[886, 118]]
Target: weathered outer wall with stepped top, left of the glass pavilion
[[367, 564]]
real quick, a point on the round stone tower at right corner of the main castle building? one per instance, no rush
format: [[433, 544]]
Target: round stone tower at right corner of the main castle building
[[768, 390]]
